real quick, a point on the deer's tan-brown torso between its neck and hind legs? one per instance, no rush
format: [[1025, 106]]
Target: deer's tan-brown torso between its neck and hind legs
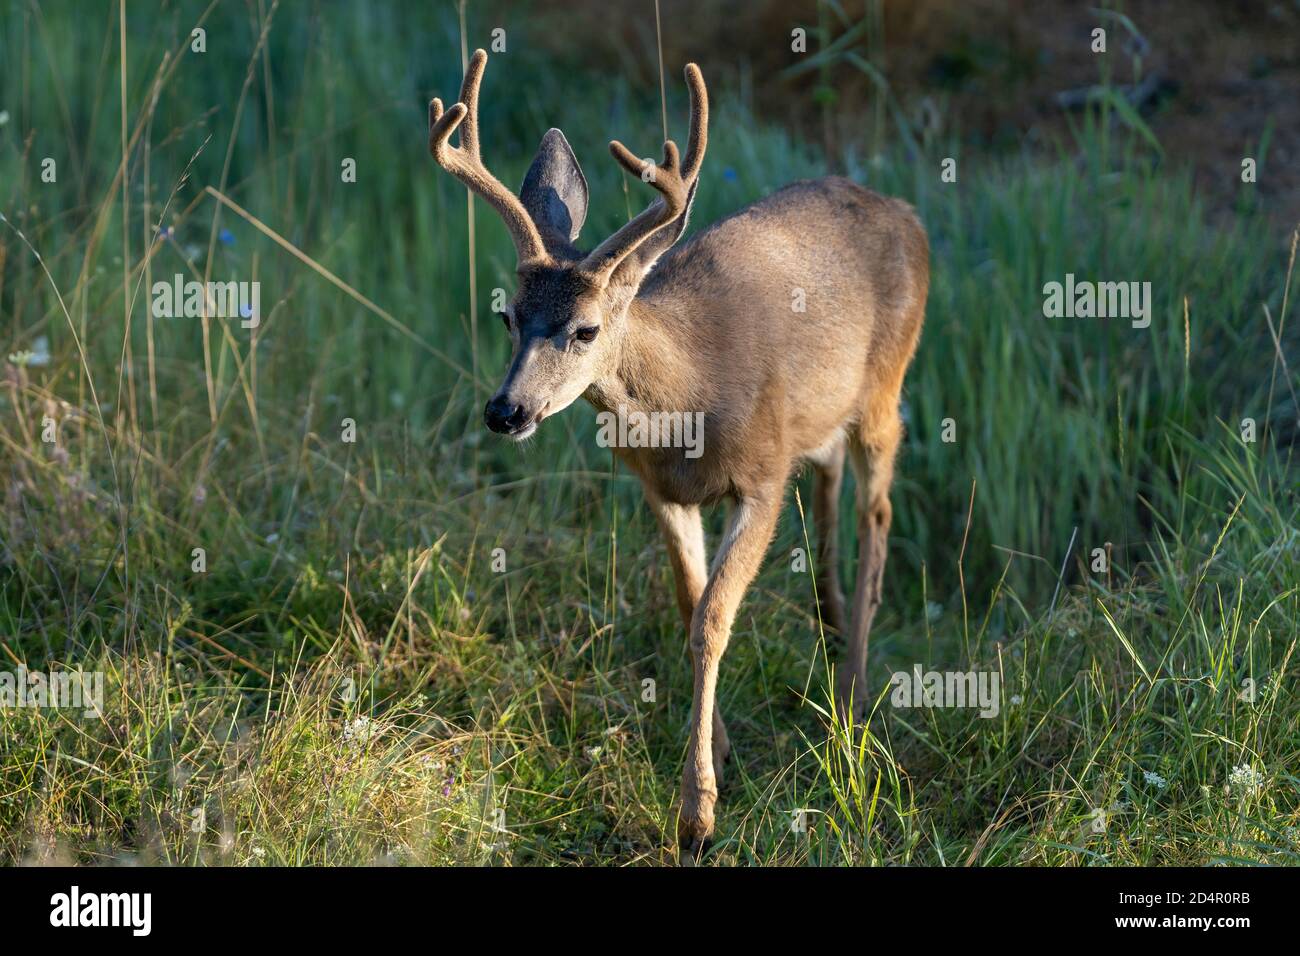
[[809, 300]]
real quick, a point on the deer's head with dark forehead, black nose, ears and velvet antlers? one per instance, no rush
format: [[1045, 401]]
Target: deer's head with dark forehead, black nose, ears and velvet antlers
[[569, 314]]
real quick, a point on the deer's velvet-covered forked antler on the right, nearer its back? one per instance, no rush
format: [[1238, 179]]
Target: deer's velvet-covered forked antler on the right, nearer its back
[[671, 179]]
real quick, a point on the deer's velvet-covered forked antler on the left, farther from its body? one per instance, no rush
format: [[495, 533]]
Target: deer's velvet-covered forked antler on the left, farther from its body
[[466, 163]]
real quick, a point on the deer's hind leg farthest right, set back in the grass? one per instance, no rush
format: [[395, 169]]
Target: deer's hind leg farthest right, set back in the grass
[[873, 447]]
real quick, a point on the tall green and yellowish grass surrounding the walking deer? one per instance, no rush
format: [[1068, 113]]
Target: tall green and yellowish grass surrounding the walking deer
[[350, 681]]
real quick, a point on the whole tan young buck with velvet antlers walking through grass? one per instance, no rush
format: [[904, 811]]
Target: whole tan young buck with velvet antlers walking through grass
[[788, 325]]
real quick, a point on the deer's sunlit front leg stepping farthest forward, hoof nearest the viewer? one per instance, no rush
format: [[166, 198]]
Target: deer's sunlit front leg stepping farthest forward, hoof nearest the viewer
[[738, 561]]
